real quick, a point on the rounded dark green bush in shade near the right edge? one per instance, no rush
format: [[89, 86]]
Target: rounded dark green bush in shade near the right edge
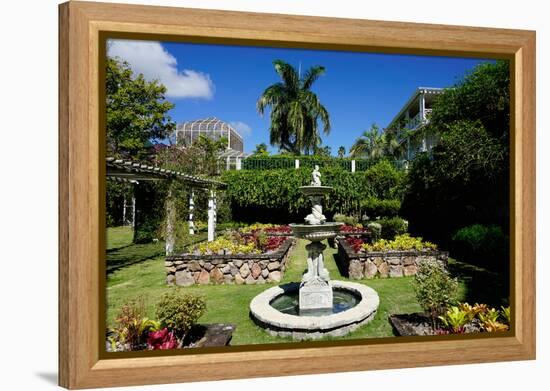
[[484, 245]]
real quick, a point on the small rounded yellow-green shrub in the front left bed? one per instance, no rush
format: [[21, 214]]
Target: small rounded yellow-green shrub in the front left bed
[[179, 311]]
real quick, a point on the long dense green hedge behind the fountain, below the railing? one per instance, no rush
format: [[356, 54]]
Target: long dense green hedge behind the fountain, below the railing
[[274, 195]]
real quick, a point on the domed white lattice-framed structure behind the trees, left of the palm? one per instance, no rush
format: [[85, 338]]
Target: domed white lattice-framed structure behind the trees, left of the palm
[[213, 128]]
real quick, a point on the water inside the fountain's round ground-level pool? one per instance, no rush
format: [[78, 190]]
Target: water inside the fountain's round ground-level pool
[[342, 300]]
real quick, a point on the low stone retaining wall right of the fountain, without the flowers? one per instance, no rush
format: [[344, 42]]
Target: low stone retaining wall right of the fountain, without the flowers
[[384, 264]]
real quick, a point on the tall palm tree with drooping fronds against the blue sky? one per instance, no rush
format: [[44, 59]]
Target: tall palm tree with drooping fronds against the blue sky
[[295, 109]]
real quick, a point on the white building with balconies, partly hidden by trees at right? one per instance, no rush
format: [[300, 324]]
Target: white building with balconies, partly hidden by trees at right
[[415, 113]]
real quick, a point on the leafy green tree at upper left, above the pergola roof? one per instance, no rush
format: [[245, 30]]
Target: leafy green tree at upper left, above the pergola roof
[[137, 111]]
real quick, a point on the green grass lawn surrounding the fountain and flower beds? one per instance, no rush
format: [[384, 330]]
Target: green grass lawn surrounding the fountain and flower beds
[[229, 303]]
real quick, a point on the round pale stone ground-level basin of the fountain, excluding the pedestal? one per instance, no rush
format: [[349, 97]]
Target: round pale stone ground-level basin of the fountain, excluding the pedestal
[[354, 305]]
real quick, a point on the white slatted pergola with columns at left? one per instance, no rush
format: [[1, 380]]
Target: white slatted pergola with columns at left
[[133, 172]]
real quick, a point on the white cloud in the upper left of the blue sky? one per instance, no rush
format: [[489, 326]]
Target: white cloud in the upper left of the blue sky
[[154, 61]]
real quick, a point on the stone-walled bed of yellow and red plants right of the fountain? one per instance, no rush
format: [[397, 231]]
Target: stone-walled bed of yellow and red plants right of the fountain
[[361, 261]]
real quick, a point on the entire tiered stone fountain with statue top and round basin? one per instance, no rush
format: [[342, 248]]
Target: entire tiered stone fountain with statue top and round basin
[[317, 306]]
